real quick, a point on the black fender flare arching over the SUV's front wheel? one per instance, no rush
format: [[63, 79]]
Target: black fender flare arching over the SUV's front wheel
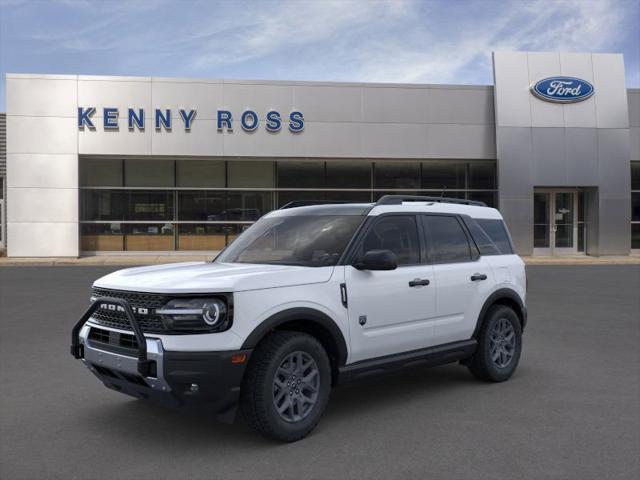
[[304, 314]]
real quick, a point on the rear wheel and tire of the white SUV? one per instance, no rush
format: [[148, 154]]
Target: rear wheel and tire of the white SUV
[[499, 345]]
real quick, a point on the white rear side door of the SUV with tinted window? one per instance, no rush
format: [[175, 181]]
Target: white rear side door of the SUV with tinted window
[[463, 279]]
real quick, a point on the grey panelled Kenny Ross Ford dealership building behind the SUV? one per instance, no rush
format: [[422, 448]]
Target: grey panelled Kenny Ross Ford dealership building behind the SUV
[[130, 165]]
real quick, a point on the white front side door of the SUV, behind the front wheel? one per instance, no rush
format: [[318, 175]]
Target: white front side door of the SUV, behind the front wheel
[[391, 311]]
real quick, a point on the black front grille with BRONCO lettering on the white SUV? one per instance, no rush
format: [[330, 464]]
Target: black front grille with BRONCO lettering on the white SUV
[[150, 323]]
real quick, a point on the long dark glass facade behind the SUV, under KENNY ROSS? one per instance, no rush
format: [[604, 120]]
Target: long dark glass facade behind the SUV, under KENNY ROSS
[[159, 204]]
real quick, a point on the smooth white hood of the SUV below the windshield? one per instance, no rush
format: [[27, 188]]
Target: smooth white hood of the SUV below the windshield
[[201, 277]]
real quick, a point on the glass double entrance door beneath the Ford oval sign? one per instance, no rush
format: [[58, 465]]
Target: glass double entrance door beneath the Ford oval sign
[[555, 222]]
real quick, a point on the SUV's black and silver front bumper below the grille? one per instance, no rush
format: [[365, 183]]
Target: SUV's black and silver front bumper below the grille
[[208, 380]]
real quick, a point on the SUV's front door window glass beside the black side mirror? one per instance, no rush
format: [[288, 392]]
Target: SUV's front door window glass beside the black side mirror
[[397, 233]]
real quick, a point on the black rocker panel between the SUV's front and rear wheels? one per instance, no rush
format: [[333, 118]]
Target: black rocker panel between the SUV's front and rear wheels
[[426, 357]]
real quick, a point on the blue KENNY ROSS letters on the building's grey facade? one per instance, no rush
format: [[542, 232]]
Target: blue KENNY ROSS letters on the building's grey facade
[[162, 119]]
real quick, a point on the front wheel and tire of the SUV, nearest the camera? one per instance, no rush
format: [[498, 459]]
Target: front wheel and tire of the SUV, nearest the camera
[[269, 386]]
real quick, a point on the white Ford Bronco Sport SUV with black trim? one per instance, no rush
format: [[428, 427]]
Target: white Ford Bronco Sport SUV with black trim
[[307, 298]]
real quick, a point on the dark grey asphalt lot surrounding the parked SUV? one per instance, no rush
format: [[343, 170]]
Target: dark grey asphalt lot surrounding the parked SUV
[[572, 410]]
